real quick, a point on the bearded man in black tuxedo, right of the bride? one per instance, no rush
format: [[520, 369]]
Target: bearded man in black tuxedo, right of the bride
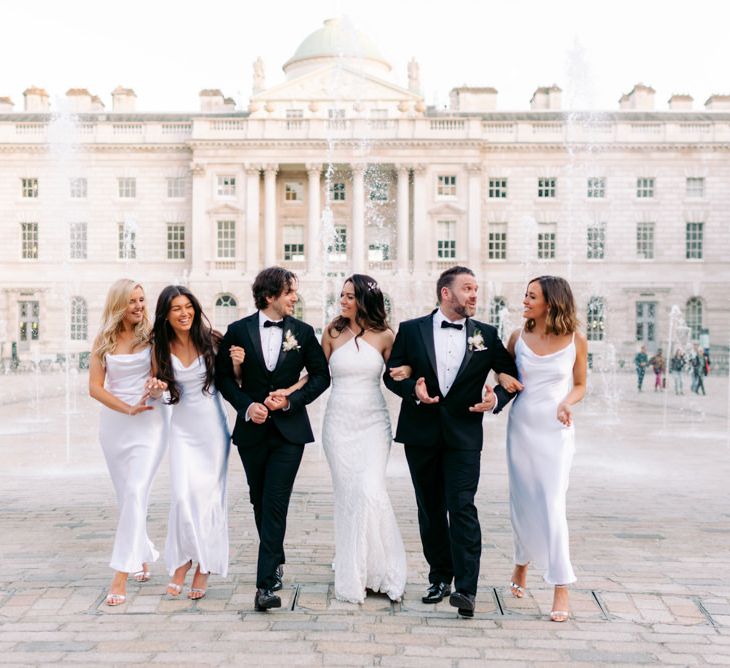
[[440, 424]]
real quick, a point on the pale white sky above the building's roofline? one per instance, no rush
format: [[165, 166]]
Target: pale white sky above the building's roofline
[[167, 51]]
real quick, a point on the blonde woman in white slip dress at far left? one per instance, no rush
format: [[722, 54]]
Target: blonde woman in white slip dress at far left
[[131, 433]]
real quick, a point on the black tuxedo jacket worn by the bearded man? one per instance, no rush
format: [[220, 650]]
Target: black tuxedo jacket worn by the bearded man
[[449, 420]]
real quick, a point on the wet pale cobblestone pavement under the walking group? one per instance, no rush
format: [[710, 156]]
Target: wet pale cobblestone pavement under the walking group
[[650, 533]]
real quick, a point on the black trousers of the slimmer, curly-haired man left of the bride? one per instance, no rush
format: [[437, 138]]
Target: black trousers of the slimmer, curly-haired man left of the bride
[[271, 467]]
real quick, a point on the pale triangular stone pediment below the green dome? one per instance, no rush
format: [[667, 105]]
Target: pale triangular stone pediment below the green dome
[[333, 82]]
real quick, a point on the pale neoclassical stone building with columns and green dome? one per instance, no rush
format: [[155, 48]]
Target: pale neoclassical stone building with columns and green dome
[[337, 170]]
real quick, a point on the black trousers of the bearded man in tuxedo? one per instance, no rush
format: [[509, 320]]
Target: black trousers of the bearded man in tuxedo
[[445, 481]]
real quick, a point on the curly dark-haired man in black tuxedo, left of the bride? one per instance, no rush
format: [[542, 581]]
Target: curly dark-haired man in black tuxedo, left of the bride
[[271, 431]]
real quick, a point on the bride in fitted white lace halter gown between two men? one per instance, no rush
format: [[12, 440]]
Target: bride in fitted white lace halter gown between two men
[[356, 435]]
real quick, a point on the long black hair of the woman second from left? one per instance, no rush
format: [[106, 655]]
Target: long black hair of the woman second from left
[[203, 336]]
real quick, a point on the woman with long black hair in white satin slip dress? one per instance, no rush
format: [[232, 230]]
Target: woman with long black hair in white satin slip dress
[[184, 349]]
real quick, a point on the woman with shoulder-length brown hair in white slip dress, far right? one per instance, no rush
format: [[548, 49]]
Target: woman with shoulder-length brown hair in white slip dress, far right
[[551, 356]]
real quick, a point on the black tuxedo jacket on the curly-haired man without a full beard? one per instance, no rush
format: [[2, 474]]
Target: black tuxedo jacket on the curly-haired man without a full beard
[[258, 381]]
